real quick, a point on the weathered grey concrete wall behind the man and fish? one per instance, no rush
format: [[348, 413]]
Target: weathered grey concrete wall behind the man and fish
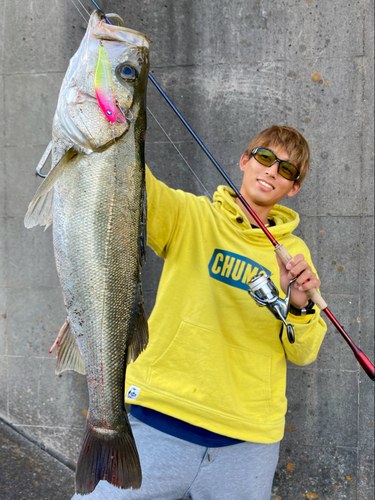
[[233, 68]]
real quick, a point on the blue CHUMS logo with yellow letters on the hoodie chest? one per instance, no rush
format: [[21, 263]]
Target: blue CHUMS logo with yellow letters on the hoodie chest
[[233, 269]]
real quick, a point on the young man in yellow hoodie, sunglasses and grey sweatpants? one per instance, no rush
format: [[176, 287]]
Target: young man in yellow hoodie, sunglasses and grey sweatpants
[[208, 393]]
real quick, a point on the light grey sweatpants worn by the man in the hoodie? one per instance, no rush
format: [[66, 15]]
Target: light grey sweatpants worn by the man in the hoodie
[[176, 469]]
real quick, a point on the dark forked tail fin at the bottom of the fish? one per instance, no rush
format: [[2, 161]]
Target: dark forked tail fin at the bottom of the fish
[[107, 455]]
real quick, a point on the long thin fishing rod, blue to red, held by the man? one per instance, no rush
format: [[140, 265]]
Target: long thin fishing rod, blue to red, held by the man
[[280, 250]]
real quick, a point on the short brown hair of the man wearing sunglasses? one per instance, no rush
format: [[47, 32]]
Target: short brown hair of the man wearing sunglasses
[[289, 138]]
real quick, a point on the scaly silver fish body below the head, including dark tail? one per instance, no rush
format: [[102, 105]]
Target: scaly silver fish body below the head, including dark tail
[[97, 216]]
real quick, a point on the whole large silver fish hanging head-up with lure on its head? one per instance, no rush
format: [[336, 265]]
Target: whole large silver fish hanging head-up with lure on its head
[[94, 194]]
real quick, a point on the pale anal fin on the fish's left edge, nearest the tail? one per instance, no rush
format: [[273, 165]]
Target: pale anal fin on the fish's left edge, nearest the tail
[[68, 355]]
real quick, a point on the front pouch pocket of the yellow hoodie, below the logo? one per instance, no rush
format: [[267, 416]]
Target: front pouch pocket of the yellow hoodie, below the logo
[[199, 367]]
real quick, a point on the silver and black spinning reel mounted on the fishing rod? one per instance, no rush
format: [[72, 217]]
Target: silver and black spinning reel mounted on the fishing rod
[[265, 293]]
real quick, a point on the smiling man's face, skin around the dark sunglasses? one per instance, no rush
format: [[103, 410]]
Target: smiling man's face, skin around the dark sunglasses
[[264, 186]]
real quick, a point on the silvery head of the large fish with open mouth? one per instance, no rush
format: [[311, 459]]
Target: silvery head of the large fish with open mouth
[[87, 121]]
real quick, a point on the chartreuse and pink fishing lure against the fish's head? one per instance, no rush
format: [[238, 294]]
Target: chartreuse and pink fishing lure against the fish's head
[[104, 89]]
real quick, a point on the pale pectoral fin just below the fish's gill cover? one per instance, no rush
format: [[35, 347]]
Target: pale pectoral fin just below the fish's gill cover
[[40, 210]]
